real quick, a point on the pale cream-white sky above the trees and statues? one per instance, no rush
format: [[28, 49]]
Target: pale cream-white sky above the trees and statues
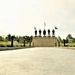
[[19, 17]]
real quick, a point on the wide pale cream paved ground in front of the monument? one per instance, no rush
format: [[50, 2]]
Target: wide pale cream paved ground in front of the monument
[[38, 61]]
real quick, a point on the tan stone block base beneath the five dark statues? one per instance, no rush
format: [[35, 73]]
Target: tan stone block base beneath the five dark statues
[[44, 41]]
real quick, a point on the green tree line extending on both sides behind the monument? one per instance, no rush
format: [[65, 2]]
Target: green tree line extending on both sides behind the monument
[[27, 39]]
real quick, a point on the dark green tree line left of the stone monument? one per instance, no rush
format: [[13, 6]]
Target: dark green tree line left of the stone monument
[[19, 39]]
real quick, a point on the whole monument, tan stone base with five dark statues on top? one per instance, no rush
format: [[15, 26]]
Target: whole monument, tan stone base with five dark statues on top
[[46, 41]]
